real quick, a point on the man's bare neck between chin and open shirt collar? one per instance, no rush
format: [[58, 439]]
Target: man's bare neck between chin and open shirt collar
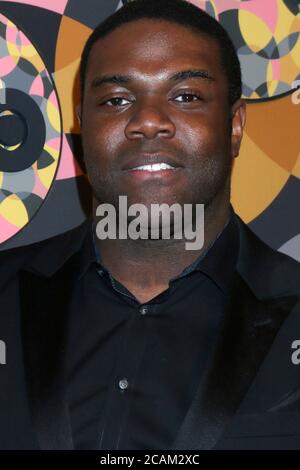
[[148, 265]]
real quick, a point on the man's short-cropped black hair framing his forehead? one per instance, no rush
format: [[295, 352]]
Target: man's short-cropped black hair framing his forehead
[[182, 13]]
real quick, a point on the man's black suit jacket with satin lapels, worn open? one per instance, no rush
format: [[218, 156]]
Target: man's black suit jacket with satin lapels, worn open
[[248, 397]]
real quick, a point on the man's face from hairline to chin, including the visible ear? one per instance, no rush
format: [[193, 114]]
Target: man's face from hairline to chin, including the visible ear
[[147, 116]]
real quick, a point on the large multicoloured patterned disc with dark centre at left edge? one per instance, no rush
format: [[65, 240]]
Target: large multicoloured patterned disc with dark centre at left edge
[[30, 129]]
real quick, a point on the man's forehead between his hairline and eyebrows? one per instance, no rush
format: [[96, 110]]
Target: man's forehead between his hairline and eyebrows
[[151, 46]]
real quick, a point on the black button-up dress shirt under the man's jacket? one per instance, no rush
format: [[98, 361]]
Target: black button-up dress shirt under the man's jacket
[[133, 368]]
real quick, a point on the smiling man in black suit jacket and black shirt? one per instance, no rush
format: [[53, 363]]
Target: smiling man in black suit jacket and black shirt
[[142, 344]]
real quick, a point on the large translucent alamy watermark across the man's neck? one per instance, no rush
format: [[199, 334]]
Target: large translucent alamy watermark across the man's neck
[[185, 222]]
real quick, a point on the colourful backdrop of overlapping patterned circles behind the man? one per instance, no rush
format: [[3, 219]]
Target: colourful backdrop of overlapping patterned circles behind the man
[[265, 183]]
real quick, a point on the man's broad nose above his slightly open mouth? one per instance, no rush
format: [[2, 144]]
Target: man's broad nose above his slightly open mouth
[[150, 119]]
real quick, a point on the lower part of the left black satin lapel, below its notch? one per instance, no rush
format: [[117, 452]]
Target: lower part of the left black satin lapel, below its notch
[[45, 306]]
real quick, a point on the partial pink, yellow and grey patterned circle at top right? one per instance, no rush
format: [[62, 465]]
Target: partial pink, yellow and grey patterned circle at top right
[[266, 35]]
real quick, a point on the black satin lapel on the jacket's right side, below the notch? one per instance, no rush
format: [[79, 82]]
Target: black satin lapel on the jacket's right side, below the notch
[[247, 331]]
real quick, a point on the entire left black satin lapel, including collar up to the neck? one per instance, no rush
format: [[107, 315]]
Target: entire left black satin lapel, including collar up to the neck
[[46, 285]]
